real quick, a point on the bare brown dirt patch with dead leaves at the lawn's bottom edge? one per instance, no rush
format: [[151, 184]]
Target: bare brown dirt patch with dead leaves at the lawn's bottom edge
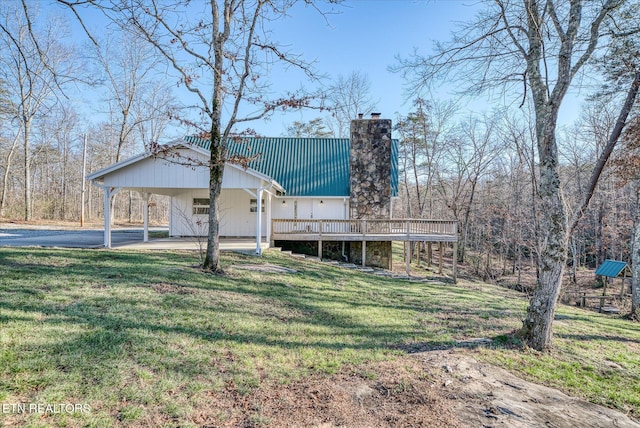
[[438, 388]]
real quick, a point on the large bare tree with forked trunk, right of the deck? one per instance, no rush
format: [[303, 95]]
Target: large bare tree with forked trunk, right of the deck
[[541, 46]]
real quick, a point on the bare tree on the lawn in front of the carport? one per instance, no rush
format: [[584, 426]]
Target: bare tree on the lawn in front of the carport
[[222, 51]]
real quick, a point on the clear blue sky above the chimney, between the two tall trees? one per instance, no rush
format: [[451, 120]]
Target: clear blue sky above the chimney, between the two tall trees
[[366, 36]]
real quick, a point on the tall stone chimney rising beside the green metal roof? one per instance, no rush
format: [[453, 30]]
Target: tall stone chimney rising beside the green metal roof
[[370, 168]]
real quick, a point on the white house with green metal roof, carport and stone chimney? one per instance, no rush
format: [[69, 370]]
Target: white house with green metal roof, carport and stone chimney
[[314, 190]]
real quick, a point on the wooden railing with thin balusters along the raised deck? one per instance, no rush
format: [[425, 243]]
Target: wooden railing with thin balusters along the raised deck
[[397, 227]]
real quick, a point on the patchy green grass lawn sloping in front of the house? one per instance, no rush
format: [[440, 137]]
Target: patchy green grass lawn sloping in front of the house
[[143, 336]]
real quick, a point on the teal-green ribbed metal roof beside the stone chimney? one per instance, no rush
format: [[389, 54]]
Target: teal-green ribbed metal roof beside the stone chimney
[[303, 166]]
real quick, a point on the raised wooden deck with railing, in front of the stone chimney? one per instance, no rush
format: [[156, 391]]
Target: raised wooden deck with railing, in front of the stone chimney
[[365, 230]]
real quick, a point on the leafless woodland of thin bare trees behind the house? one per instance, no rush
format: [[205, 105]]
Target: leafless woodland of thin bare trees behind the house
[[479, 170]]
